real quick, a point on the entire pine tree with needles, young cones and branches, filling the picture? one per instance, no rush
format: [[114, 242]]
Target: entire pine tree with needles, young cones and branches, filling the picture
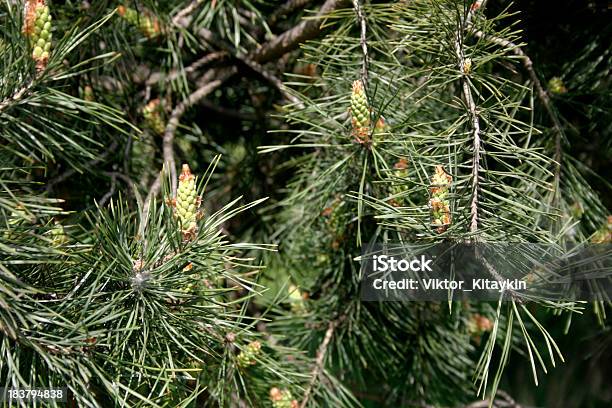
[[141, 264]]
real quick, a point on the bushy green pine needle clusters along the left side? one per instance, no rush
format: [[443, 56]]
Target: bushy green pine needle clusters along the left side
[[115, 303]]
